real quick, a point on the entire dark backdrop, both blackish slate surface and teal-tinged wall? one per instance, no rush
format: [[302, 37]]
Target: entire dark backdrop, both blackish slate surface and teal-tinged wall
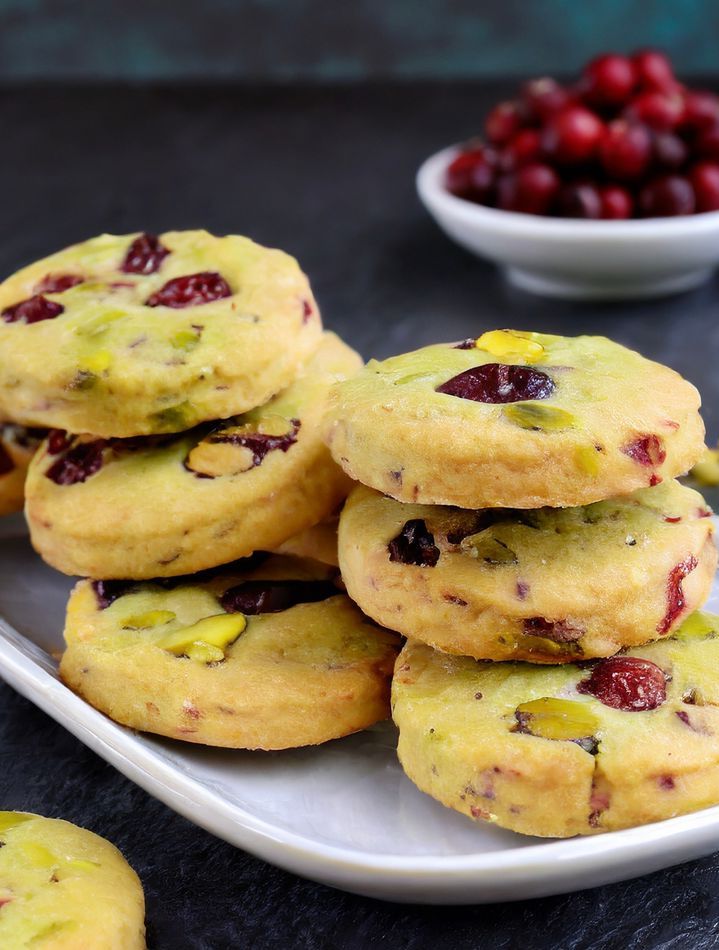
[[325, 170]]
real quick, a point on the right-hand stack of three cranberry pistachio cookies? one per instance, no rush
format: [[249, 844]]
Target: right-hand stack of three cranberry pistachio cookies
[[518, 520]]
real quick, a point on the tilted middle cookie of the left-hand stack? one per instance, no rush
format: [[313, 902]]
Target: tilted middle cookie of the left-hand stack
[[152, 507]]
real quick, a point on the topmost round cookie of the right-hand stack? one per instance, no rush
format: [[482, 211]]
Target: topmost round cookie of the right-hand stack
[[515, 420]]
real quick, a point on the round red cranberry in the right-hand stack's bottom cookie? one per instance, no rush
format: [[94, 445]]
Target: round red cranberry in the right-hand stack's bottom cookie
[[628, 683]]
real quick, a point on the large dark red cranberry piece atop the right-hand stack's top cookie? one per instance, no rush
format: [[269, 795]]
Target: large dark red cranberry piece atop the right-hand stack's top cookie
[[499, 383]]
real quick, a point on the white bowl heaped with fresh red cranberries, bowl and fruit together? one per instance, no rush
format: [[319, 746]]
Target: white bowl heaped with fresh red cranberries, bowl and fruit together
[[604, 188]]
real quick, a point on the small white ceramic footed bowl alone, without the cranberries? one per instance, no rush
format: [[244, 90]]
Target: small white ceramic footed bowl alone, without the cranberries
[[581, 260]]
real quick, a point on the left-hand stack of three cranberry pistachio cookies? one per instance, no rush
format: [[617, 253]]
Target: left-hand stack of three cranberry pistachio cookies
[[183, 379]]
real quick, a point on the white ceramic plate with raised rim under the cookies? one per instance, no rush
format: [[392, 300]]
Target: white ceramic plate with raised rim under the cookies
[[343, 813]]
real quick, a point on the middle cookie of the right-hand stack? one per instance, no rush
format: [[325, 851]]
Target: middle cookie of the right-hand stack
[[549, 586]]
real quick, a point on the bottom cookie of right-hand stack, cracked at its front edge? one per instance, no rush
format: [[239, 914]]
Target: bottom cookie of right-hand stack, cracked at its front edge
[[566, 750]]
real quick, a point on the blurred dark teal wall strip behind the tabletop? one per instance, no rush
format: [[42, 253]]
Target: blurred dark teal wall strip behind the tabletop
[[324, 40]]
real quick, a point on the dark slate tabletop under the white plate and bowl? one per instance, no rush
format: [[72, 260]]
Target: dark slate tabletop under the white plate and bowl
[[327, 175]]
